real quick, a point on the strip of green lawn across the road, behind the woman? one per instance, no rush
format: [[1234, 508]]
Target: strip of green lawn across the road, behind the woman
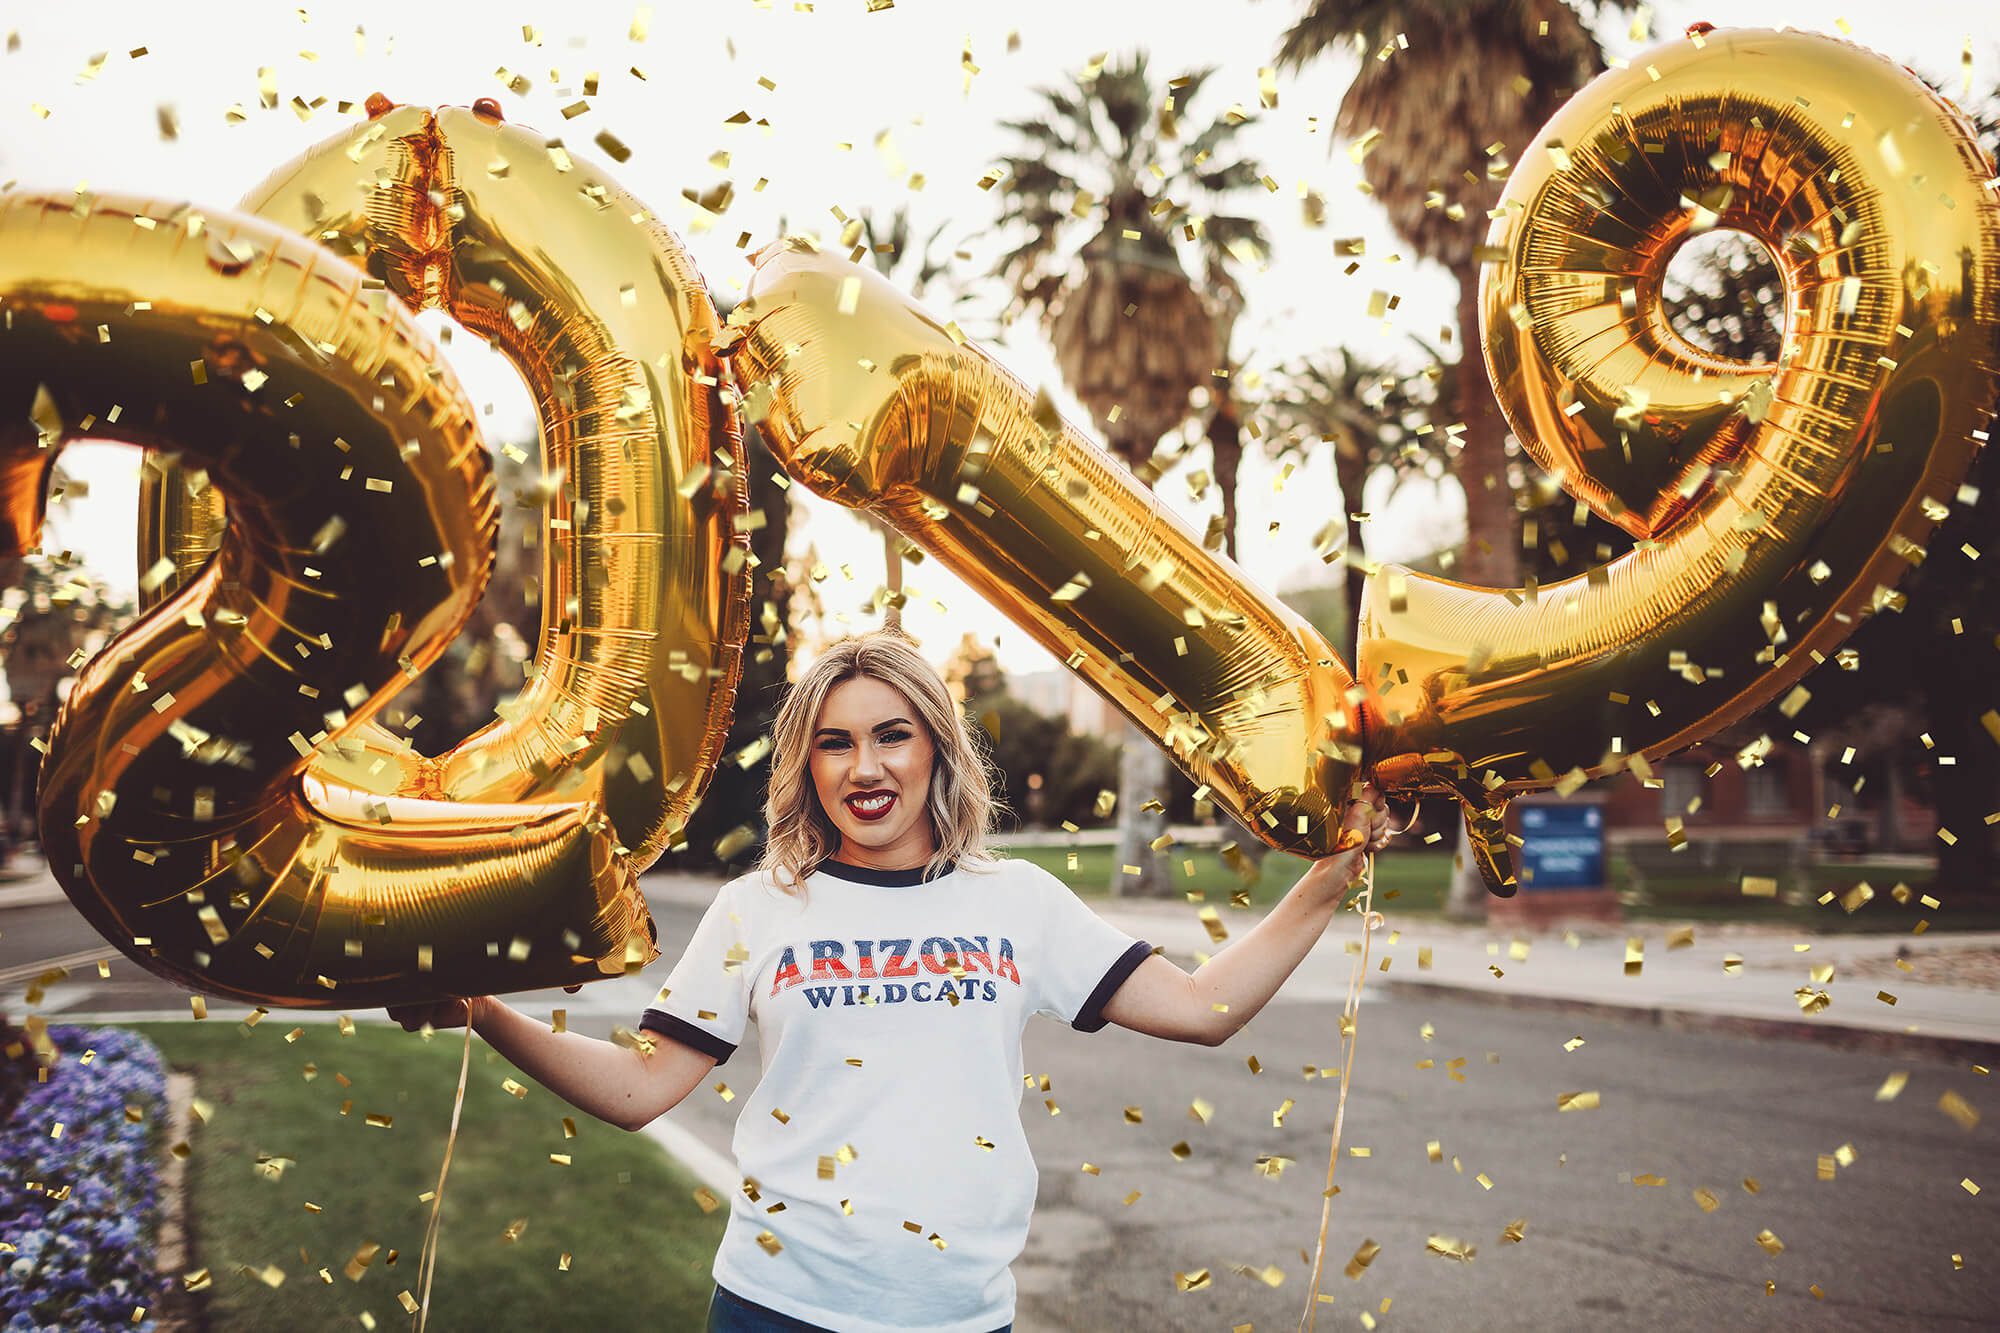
[[1413, 882]]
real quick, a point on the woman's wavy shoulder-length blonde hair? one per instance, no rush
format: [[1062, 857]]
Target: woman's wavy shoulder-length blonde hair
[[961, 802]]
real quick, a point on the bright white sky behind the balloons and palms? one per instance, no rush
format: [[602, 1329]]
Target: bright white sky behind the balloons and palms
[[843, 79]]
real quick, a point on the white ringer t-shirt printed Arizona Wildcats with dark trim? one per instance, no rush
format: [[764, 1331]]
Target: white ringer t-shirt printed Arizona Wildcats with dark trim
[[889, 1014]]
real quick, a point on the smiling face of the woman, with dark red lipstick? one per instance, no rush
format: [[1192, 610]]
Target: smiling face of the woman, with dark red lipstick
[[871, 768]]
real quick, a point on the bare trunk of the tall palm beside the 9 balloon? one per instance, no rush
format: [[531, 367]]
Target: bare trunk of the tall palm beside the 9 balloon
[[1491, 555]]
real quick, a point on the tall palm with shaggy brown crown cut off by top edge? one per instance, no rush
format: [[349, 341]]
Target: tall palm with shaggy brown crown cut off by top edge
[[1455, 89]]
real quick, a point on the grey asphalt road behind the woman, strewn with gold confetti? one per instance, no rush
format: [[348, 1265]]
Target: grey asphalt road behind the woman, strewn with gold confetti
[[1603, 1246]]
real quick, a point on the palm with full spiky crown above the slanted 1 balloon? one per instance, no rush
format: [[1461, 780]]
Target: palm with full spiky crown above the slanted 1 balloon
[[1139, 313]]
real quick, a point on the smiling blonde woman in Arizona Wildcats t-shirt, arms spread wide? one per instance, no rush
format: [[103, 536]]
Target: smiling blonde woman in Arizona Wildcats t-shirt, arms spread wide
[[891, 964]]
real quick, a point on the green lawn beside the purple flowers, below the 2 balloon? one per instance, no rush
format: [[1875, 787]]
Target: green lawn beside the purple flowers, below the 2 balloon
[[641, 1246]]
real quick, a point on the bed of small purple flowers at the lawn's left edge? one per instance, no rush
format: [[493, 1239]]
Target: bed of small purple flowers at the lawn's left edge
[[83, 1262]]
